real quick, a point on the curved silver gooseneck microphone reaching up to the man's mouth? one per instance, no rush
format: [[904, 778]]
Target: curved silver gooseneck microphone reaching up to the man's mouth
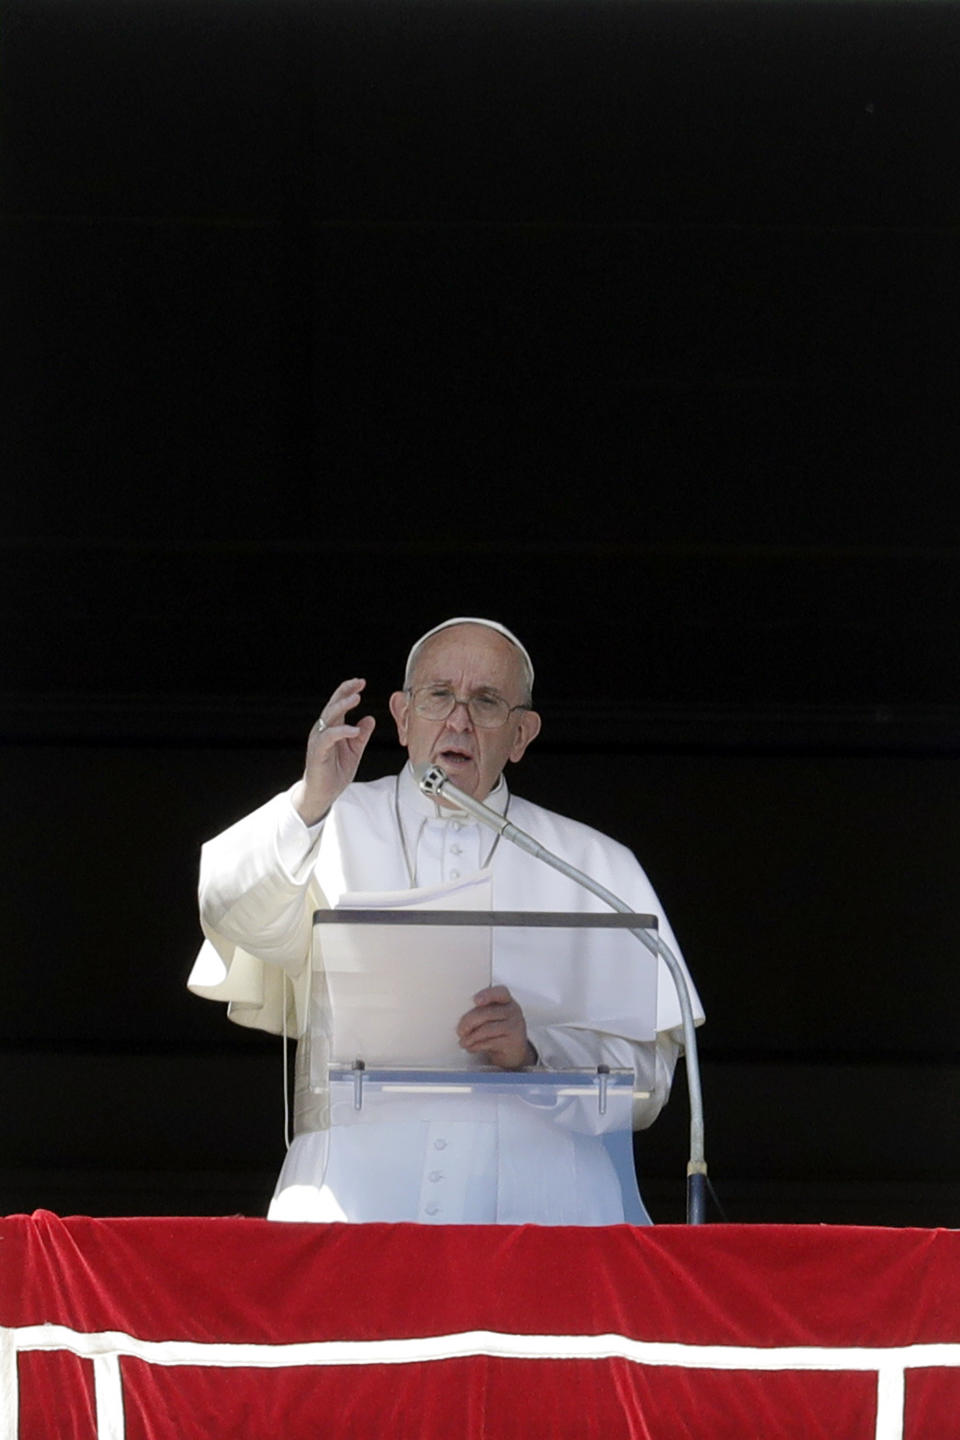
[[434, 783]]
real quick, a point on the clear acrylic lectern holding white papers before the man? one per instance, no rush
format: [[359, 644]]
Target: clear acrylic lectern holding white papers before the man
[[389, 987]]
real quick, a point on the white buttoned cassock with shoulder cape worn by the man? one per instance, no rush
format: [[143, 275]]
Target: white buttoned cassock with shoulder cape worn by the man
[[440, 1161]]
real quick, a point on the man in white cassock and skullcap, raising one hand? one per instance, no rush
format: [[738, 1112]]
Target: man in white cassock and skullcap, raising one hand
[[467, 706]]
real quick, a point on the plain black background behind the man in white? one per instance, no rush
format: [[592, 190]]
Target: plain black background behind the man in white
[[631, 325]]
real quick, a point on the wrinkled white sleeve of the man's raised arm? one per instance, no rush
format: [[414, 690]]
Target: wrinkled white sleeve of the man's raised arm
[[257, 886]]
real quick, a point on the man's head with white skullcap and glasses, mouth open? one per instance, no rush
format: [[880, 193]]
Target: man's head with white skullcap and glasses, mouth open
[[470, 660]]
